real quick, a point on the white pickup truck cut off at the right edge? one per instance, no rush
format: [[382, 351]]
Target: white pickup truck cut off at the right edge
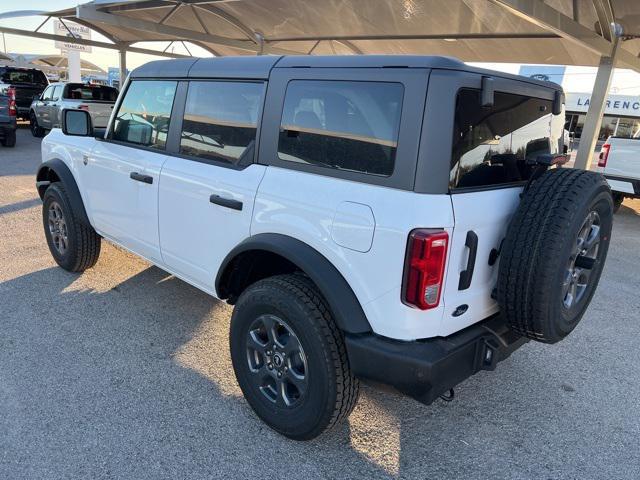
[[619, 162]]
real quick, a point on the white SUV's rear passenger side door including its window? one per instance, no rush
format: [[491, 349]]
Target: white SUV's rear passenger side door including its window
[[208, 185]]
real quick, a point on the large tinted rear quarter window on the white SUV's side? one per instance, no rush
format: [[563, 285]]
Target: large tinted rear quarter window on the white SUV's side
[[342, 125]]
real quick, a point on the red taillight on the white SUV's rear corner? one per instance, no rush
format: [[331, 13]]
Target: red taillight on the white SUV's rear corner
[[424, 268]]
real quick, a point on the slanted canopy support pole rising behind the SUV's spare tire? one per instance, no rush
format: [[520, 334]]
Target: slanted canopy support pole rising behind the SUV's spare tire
[[597, 104]]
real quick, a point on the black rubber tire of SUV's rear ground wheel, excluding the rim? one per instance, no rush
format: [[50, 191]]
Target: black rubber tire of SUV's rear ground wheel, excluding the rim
[[332, 390]]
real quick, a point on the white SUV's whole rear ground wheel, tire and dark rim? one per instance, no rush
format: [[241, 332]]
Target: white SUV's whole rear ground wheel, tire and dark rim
[[290, 359]]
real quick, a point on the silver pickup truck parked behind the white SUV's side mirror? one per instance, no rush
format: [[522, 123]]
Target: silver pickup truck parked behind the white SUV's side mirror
[[45, 112]]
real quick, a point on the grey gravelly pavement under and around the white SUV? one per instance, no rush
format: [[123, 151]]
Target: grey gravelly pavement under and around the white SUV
[[124, 372]]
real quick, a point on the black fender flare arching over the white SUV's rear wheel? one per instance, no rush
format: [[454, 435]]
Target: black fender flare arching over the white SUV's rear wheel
[[344, 304]]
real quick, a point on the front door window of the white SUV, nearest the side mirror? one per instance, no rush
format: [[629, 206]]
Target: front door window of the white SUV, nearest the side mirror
[[143, 117]]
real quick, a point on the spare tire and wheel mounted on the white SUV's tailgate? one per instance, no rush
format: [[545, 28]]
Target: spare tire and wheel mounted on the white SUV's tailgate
[[554, 252]]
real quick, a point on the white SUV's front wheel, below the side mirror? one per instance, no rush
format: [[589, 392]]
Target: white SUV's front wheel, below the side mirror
[[73, 245]]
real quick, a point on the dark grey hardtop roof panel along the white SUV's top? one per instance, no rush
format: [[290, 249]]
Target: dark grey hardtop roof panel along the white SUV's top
[[258, 67]]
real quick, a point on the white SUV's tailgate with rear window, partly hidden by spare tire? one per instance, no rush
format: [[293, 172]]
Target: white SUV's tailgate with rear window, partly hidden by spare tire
[[488, 170]]
